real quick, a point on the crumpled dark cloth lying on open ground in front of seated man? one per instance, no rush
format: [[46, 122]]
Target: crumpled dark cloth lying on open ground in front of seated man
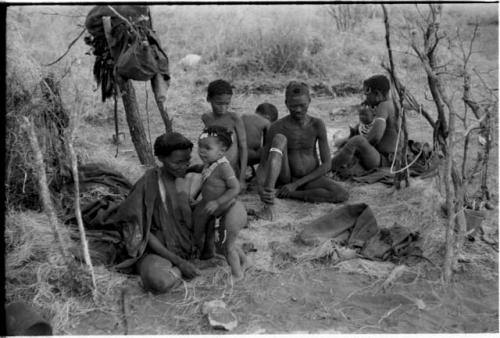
[[355, 226]]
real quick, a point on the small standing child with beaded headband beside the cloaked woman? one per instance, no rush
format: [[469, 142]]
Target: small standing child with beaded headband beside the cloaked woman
[[219, 189]]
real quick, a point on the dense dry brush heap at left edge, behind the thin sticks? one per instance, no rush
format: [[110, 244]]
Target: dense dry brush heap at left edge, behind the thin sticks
[[30, 93]]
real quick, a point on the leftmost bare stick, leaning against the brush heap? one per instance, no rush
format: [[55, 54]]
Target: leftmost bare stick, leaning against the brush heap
[[61, 239]]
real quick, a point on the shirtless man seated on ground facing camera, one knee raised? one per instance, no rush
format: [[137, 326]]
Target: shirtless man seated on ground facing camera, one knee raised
[[290, 160]]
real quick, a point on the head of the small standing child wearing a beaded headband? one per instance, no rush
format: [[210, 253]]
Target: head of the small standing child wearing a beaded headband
[[213, 142]]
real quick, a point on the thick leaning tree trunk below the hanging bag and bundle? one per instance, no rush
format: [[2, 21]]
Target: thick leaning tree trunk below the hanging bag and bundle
[[137, 132]]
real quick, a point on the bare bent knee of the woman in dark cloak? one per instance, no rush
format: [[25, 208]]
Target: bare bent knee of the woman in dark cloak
[[157, 274]]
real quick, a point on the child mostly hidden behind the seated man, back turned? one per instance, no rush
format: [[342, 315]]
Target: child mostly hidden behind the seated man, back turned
[[256, 127]]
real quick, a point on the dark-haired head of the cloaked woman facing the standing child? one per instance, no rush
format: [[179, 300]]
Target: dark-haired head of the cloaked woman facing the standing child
[[174, 151]]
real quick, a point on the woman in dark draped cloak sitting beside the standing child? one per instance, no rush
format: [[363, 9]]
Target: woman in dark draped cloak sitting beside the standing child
[[155, 220]]
